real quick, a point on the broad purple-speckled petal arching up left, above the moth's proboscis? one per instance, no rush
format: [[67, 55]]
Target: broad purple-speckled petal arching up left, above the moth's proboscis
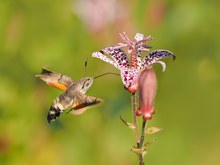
[[118, 55]]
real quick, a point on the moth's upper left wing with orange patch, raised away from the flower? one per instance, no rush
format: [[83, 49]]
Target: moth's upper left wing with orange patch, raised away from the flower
[[56, 80]]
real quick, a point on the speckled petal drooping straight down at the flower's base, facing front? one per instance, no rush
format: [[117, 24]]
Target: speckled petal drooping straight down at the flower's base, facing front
[[129, 76]]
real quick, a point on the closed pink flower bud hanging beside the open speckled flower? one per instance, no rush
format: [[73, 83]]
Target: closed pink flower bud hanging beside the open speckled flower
[[147, 85]]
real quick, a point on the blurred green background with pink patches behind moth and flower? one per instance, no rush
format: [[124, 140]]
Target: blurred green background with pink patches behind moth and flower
[[61, 34]]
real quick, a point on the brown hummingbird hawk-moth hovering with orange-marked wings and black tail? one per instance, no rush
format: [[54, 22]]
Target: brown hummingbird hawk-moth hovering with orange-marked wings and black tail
[[74, 96]]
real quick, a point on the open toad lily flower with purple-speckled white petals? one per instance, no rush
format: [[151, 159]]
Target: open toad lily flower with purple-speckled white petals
[[132, 69]]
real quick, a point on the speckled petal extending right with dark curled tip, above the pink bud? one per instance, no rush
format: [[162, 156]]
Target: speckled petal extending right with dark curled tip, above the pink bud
[[154, 56]]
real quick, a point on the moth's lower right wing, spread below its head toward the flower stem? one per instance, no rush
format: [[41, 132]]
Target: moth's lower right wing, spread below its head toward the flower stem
[[83, 102]]
